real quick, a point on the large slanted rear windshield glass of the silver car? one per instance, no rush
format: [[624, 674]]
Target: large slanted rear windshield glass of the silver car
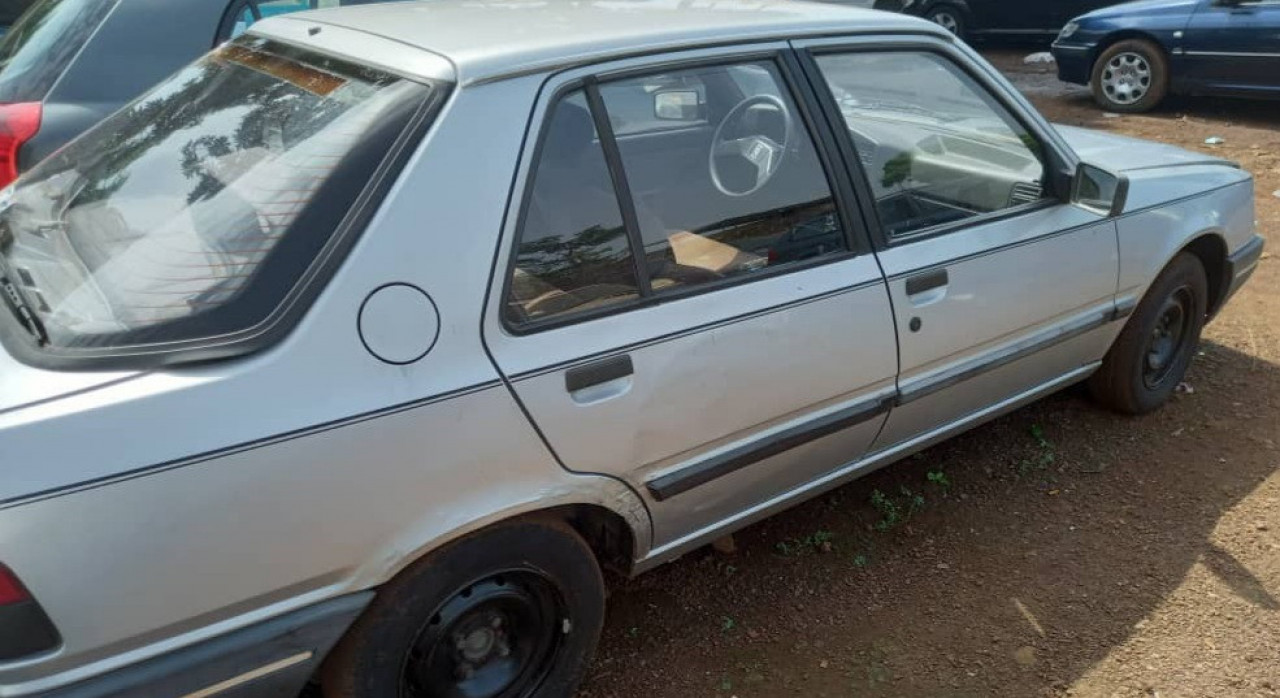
[[195, 212]]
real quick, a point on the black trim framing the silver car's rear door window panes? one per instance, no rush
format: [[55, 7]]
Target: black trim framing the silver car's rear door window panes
[[839, 183]]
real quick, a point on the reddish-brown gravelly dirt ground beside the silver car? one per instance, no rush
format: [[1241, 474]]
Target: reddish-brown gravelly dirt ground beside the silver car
[[1059, 551]]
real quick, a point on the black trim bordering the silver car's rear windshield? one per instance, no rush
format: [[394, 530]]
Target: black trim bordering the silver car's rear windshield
[[291, 309]]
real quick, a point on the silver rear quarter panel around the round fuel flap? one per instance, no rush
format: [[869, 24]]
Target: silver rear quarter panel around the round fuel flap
[[188, 503]]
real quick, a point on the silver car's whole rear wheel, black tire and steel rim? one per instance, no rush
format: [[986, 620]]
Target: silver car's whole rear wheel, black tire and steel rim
[[514, 610]]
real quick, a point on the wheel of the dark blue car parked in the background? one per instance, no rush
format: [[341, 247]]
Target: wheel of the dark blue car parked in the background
[[1131, 76]]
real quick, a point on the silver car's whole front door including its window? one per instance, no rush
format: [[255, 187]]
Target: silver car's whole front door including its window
[[999, 289]]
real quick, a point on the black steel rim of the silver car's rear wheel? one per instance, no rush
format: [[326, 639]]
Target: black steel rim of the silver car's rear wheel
[[496, 638]]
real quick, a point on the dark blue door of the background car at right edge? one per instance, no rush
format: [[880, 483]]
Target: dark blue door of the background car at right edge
[[1233, 48]]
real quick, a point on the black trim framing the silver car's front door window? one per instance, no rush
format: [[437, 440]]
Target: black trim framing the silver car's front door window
[[1055, 162]]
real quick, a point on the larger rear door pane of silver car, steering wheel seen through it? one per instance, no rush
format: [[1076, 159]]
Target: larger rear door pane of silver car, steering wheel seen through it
[[743, 194]]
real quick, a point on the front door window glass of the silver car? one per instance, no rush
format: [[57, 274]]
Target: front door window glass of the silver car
[[936, 147]]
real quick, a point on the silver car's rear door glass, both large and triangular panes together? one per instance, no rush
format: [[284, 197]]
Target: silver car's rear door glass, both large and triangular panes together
[[720, 171]]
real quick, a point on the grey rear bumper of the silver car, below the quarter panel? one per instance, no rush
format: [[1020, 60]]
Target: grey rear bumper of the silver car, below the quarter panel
[[273, 659]]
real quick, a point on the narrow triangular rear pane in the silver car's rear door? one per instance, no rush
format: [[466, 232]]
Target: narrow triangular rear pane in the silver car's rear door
[[574, 254]]
